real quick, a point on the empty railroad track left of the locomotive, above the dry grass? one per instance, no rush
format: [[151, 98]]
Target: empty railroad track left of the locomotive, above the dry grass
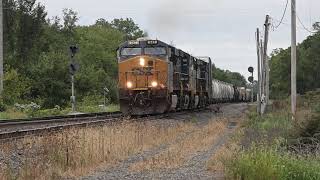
[[19, 128]]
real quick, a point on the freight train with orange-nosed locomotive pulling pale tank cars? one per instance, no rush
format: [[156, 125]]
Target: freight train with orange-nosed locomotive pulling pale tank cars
[[155, 77]]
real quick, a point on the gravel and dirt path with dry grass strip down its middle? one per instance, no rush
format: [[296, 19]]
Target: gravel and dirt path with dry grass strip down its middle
[[186, 156]]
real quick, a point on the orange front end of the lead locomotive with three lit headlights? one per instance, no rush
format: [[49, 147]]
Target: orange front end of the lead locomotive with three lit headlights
[[143, 77]]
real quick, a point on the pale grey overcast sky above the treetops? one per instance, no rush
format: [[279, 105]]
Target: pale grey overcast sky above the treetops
[[221, 29]]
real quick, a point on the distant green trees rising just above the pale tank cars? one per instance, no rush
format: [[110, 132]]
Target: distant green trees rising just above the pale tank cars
[[228, 76]]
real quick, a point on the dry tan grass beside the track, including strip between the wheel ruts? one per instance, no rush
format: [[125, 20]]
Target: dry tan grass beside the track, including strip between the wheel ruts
[[79, 151]]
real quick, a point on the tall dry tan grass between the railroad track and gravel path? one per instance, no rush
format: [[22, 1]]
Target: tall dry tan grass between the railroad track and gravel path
[[77, 151]]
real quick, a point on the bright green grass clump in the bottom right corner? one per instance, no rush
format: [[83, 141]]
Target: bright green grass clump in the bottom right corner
[[267, 163]]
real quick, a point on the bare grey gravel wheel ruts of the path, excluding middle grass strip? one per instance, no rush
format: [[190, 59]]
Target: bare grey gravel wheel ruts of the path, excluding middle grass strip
[[195, 165]]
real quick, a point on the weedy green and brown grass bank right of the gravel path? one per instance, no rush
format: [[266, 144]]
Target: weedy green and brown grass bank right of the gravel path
[[274, 146]]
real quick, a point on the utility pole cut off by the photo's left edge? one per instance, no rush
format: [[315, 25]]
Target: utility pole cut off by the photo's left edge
[[1, 47]]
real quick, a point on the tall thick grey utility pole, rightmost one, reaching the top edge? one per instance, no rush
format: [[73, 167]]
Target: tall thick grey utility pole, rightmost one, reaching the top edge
[[293, 58]]
